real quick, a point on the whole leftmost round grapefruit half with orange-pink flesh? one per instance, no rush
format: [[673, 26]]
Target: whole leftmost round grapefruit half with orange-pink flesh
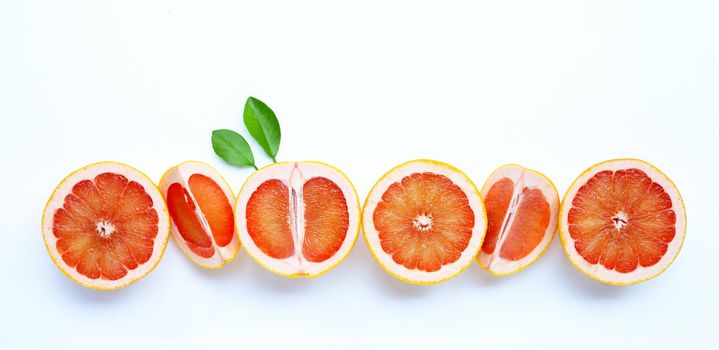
[[106, 225]]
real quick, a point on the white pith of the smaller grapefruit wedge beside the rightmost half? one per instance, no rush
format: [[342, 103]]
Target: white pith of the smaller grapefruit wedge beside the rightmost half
[[522, 178]]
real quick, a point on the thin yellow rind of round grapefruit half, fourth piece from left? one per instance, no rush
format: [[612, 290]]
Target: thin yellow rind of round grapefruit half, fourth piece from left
[[374, 255]]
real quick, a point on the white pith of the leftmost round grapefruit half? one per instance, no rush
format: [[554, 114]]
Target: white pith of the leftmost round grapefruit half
[[89, 173]]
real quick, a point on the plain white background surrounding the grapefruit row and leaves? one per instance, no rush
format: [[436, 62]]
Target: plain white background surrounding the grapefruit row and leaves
[[552, 85]]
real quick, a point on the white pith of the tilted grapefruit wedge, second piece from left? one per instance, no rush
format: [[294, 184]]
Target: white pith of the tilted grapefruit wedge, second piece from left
[[181, 174]]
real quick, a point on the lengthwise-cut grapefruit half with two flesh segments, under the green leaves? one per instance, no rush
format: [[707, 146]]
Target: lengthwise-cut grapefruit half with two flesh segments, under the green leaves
[[298, 219]]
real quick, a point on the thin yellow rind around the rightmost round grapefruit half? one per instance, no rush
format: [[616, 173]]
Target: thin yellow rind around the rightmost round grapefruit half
[[562, 233]]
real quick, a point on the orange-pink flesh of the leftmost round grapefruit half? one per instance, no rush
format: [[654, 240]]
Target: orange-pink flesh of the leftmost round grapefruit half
[[106, 227]]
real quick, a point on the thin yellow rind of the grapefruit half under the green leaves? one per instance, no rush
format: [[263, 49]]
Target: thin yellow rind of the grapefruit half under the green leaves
[[330, 267]]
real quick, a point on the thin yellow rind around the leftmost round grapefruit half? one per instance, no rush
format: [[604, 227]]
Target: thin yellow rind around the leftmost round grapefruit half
[[57, 264]]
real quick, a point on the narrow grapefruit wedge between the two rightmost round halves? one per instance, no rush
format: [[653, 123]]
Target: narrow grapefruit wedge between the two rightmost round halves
[[522, 208]]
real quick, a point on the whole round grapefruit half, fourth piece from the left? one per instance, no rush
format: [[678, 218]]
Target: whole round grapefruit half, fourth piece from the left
[[424, 221]]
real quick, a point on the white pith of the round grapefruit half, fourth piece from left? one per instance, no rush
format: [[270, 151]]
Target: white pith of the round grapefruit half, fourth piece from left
[[446, 271]]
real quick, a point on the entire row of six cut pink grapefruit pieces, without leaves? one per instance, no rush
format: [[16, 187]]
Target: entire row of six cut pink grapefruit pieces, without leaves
[[107, 225]]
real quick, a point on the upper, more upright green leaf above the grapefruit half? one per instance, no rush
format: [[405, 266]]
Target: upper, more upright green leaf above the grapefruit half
[[262, 124]]
